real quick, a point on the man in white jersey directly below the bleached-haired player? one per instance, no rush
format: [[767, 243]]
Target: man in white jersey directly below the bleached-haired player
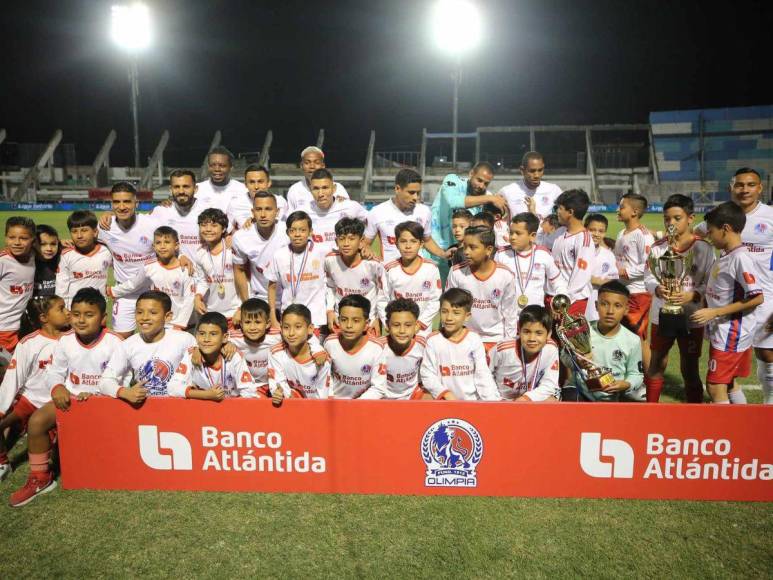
[[326, 209]]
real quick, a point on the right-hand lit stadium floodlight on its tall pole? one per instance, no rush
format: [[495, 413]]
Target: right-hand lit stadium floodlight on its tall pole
[[456, 27]]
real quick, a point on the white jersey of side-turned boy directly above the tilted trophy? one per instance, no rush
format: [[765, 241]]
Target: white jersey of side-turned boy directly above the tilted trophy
[[575, 255]]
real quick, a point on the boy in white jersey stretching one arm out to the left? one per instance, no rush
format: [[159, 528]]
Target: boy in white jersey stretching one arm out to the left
[[165, 274]]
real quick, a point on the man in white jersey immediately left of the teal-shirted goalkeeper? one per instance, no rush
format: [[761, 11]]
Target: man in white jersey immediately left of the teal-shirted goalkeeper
[[404, 206]]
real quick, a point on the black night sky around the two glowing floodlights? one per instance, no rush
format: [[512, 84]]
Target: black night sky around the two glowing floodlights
[[245, 67]]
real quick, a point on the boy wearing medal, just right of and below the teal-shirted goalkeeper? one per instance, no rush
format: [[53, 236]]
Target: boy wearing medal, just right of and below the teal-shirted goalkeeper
[[536, 274]]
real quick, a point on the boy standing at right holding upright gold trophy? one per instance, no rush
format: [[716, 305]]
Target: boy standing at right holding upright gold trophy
[[676, 276]]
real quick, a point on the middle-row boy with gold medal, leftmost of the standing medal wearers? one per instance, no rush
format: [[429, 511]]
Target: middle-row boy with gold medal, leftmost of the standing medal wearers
[[215, 287]]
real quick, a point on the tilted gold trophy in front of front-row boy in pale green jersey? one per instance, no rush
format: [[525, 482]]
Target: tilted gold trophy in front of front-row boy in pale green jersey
[[574, 334]]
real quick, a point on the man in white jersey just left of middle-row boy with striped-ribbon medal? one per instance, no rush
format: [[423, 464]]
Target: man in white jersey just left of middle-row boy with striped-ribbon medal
[[254, 247]]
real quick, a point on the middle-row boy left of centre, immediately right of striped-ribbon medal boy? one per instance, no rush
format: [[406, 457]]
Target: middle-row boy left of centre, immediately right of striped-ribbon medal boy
[[348, 272]]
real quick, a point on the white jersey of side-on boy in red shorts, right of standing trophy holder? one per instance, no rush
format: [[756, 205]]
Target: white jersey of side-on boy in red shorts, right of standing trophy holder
[[733, 278]]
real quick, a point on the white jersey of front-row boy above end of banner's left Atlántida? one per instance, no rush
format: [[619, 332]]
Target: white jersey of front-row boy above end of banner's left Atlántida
[[303, 375]]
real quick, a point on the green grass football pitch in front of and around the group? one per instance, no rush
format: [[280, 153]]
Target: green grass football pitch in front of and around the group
[[182, 534]]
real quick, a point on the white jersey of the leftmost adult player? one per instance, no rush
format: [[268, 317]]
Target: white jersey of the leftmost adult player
[[130, 248]]
